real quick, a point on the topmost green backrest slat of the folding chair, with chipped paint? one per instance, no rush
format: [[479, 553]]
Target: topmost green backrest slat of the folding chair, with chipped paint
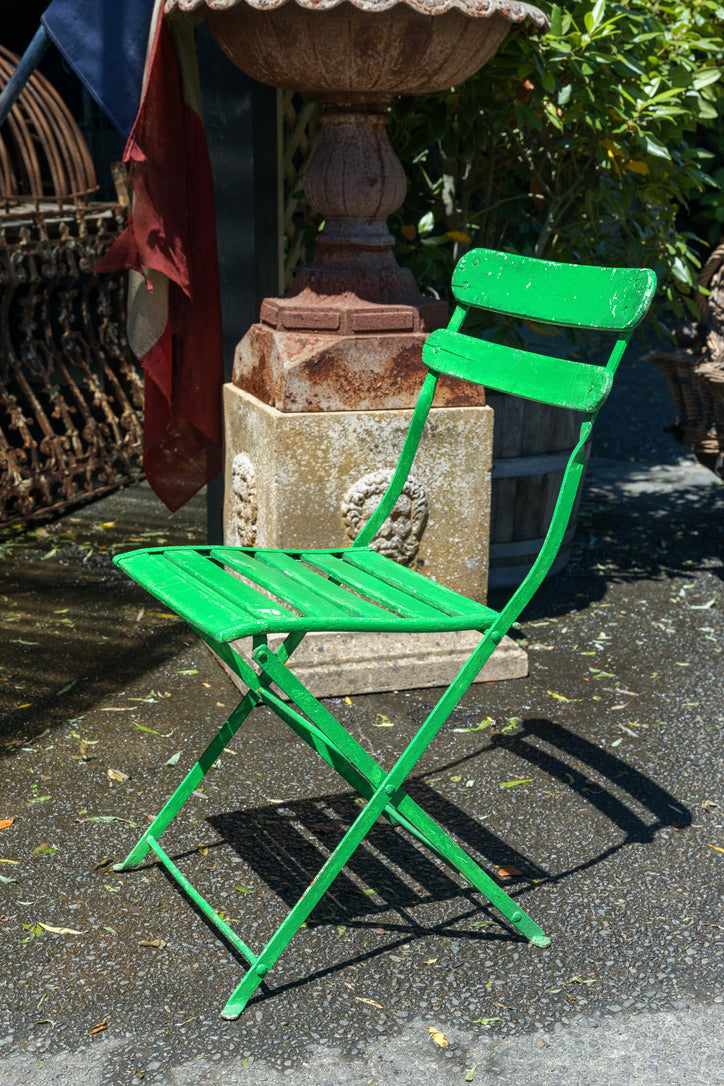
[[576, 296]]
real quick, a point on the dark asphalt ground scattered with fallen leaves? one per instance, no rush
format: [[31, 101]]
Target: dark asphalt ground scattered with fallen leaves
[[592, 789]]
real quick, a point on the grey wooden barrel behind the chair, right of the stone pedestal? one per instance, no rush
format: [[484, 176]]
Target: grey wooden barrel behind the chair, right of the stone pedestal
[[531, 446]]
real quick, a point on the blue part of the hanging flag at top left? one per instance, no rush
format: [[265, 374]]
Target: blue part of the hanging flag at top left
[[105, 43]]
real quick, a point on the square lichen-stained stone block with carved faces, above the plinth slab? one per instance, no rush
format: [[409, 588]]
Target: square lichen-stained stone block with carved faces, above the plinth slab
[[312, 479]]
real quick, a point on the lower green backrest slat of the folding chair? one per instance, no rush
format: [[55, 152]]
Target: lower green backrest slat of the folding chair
[[552, 381]]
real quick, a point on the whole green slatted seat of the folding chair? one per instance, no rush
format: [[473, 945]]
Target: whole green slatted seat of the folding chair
[[284, 591]]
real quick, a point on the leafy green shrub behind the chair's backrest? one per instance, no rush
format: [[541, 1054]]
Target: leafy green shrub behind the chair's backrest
[[582, 145]]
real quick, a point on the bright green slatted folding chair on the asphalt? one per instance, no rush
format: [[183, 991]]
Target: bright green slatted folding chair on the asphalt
[[226, 593]]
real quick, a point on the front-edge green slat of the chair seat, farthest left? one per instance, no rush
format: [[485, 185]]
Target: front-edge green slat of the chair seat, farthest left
[[180, 591]]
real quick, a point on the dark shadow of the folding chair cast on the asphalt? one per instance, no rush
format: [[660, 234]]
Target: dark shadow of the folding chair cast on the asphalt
[[285, 845]]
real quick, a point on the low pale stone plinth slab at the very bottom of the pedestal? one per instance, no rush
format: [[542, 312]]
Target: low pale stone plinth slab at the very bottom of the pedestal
[[337, 665]]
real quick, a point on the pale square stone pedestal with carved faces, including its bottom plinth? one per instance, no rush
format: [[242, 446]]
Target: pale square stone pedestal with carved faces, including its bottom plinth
[[311, 479]]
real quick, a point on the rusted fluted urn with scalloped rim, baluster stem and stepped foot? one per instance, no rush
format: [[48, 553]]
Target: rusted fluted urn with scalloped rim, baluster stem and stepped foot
[[355, 57]]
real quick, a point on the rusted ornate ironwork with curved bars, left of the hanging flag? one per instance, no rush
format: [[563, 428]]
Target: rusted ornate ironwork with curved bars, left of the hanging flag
[[71, 392]]
